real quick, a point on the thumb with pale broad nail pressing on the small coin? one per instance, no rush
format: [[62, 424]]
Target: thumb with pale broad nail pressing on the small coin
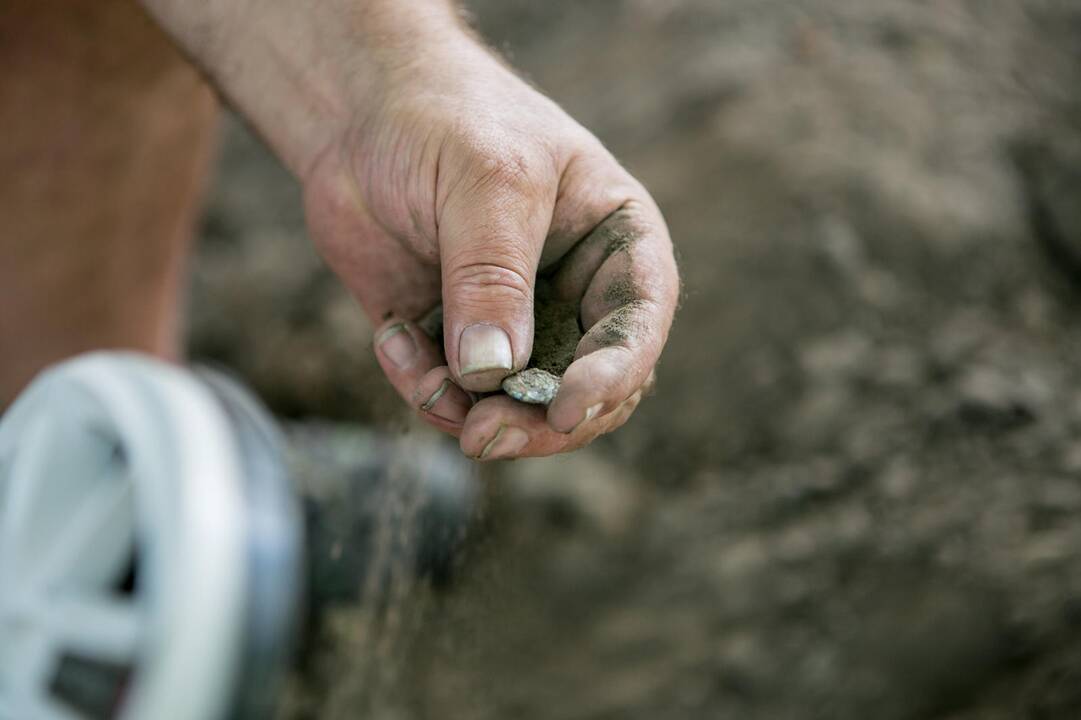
[[491, 239]]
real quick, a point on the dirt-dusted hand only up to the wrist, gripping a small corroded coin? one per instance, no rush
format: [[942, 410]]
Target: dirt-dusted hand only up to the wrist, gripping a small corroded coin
[[460, 186]]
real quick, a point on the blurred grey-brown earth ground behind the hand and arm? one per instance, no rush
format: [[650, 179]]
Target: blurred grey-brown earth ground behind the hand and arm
[[858, 490]]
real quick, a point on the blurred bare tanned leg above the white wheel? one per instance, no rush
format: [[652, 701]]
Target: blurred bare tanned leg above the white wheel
[[108, 137]]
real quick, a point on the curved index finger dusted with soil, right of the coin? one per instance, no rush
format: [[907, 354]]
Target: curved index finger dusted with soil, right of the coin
[[626, 278]]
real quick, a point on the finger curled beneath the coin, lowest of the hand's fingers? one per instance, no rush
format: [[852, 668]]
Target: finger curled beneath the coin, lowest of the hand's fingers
[[501, 429]]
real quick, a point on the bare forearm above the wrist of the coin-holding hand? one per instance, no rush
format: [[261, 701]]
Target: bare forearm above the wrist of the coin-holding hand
[[300, 72]]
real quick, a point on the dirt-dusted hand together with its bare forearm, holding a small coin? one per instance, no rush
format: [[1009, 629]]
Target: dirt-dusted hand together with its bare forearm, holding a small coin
[[432, 175]]
